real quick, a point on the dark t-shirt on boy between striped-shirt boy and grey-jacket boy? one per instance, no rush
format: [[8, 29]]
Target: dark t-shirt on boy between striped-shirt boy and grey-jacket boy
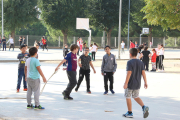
[[85, 62]]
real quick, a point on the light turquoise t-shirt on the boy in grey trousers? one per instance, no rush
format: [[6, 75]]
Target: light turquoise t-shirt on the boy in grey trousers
[[32, 71]]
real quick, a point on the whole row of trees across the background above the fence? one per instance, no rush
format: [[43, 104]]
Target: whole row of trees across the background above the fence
[[58, 17]]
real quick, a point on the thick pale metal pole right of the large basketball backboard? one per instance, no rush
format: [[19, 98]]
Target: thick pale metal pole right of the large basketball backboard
[[119, 33]]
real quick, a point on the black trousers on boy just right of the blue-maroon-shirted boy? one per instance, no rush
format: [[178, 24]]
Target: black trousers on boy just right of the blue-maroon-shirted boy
[[83, 73]]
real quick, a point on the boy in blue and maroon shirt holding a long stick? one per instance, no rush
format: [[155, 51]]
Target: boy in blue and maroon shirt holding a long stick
[[71, 70]]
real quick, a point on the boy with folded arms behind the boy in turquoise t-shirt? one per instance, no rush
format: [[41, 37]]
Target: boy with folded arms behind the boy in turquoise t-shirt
[[23, 56]]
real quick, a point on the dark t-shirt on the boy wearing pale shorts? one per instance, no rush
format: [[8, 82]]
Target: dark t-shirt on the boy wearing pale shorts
[[136, 66]]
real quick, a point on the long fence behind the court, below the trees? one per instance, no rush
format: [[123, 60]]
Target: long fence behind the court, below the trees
[[57, 41]]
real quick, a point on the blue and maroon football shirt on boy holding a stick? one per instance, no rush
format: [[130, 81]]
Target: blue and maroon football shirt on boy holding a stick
[[72, 61]]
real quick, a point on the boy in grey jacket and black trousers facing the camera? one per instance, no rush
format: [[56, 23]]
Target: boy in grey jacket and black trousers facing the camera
[[108, 68]]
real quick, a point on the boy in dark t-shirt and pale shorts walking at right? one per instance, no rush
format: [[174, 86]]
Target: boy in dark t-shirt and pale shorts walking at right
[[132, 84]]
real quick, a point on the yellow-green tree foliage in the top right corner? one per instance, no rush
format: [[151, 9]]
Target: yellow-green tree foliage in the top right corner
[[163, 12]]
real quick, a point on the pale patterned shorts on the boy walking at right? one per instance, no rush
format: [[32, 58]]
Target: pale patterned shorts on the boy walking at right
[[133, 93]]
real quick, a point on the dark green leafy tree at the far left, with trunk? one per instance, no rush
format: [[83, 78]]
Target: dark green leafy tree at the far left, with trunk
[[19, 13]]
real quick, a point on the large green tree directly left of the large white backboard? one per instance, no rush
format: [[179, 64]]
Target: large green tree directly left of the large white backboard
[[62, 14]]
